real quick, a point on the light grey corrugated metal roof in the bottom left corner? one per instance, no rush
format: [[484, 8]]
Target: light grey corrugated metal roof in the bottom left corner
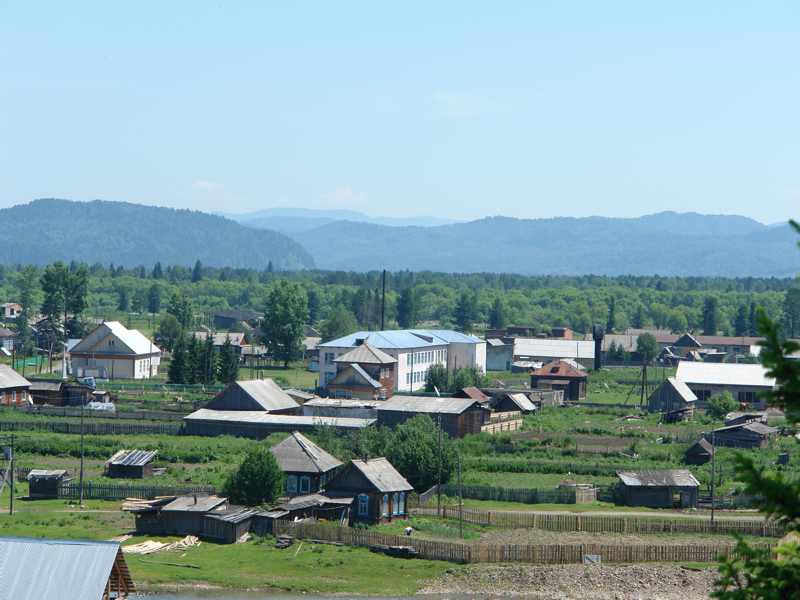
[[33, 569]]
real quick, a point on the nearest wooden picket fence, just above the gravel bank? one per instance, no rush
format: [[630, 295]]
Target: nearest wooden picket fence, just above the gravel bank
[[535, 554]]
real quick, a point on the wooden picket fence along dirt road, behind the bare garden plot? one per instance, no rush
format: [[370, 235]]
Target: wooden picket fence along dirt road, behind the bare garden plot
[[606, 523]]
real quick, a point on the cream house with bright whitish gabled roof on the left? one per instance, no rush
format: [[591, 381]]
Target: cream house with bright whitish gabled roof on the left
[[112, 351]]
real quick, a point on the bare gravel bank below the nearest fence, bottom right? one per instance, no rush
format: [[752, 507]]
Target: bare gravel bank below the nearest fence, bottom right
[[576, 582]]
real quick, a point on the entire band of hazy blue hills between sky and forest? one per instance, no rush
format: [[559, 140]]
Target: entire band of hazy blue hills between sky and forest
[[128, 234]]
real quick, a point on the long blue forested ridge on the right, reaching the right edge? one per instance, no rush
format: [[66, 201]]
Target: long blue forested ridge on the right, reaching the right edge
[[663, 244]]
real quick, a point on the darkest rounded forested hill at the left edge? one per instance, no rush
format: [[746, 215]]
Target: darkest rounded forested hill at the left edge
[[131, 234]]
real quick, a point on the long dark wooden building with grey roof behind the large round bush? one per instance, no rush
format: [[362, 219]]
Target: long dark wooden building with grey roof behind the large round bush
[[458, 416]]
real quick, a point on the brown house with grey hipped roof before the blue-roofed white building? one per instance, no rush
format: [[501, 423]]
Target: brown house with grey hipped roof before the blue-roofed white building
[[365, 372]]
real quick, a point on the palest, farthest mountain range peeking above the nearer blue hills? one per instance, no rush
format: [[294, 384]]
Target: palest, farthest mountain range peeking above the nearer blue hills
[[299, 220]]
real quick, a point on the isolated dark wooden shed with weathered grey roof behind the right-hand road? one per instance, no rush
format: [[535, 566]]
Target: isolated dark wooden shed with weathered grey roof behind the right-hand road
[[673, 488]]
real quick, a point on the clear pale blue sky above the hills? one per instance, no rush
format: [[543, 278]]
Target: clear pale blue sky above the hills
[[454, 109]]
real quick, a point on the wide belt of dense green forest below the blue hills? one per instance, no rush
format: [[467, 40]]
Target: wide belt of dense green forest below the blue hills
[[340, 300]]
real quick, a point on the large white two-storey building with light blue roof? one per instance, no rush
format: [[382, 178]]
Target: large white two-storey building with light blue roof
[[416, 351]]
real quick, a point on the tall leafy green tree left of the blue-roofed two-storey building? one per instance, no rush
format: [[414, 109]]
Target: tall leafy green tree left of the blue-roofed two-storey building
[[286, 315]]
